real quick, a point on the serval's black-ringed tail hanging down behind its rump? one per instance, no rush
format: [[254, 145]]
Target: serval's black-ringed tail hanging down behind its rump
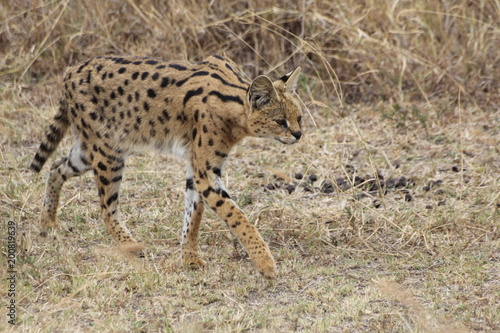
[[53, 136]]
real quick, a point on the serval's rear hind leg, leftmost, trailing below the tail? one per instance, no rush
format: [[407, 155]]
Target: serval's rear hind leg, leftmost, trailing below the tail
[[75, 164]]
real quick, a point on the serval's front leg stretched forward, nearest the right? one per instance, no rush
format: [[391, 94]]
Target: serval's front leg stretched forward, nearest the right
[[209, 186]]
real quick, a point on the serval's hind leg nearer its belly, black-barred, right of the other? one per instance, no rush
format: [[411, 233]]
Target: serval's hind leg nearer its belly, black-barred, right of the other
[[108, 171]]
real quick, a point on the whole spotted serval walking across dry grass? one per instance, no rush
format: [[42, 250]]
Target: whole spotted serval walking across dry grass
[[198, 111]]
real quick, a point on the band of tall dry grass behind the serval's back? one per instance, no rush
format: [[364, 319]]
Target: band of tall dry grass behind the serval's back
[[401, 51]]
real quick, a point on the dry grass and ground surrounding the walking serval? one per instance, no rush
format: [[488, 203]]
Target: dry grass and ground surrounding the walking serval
[[392, 228]]
